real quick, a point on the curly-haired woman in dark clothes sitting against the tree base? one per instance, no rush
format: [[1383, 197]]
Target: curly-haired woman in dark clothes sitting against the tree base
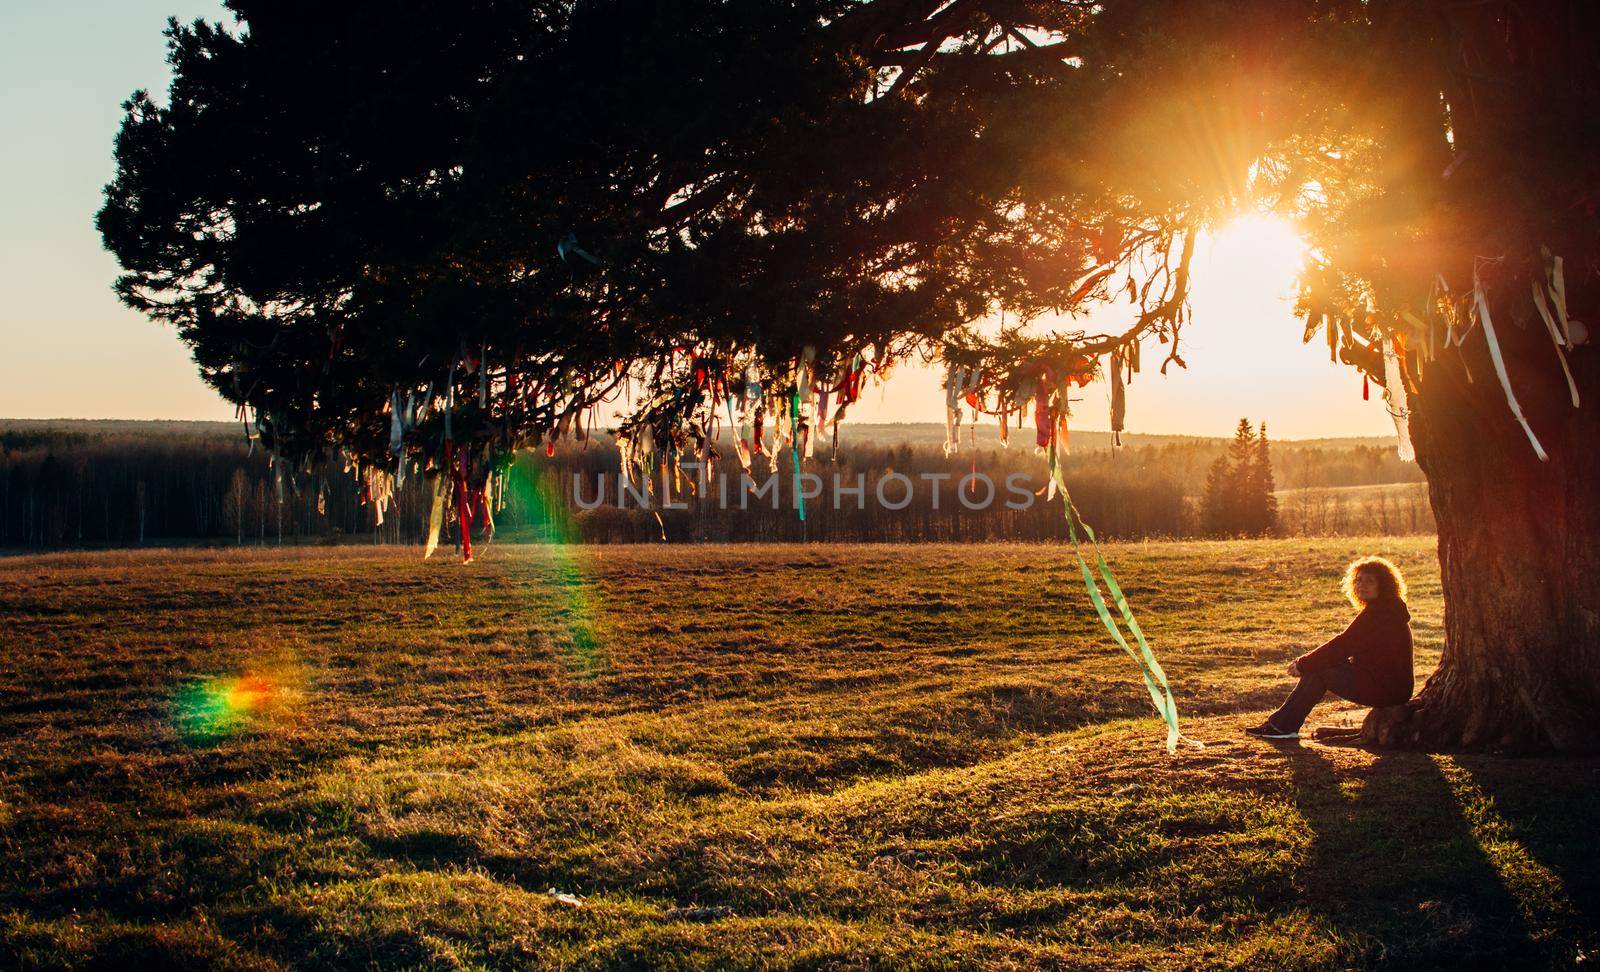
[[1369, 663]]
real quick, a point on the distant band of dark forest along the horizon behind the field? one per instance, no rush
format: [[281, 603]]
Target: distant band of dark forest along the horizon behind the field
[[68, 485]]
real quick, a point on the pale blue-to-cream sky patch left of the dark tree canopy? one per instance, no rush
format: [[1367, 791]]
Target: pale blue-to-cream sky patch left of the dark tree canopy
[[70, 348]]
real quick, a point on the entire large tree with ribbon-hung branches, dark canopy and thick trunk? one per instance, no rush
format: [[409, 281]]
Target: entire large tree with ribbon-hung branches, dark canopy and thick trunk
[[503, 210]]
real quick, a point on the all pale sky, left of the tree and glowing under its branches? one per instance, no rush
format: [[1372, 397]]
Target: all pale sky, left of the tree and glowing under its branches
[[68, 349]]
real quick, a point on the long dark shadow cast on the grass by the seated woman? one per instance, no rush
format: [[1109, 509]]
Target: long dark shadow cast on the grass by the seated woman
[[1396, 869]]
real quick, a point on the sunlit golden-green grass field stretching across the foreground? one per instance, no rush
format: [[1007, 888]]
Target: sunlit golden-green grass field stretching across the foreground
[[737, 757]]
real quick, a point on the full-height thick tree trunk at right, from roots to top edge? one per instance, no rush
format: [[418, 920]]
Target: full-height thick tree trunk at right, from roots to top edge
[[1518, 536]]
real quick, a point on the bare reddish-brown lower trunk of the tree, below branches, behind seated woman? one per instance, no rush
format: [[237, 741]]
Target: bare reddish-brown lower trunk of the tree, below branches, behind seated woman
[[1518, 548]]
